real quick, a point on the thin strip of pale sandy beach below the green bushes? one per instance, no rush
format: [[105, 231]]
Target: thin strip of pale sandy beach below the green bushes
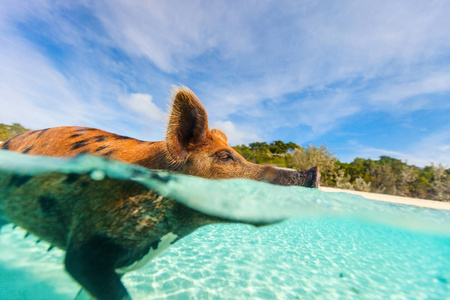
[[393, 199]]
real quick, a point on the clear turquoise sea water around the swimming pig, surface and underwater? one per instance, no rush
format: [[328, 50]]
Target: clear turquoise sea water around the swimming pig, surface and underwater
[[329, 246]]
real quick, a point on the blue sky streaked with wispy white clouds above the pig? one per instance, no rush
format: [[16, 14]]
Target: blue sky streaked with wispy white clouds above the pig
[[367, 78]]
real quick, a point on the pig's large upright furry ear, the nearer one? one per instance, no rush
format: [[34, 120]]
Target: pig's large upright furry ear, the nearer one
[[188, 123]]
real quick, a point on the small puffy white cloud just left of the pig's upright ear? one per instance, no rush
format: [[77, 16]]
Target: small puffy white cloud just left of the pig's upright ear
[[143, 104]]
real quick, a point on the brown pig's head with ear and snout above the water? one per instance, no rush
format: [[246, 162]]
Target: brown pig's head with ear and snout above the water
[[195, 150]]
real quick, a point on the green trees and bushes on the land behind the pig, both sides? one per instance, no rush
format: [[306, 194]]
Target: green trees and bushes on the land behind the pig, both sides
[[387, 175]]
